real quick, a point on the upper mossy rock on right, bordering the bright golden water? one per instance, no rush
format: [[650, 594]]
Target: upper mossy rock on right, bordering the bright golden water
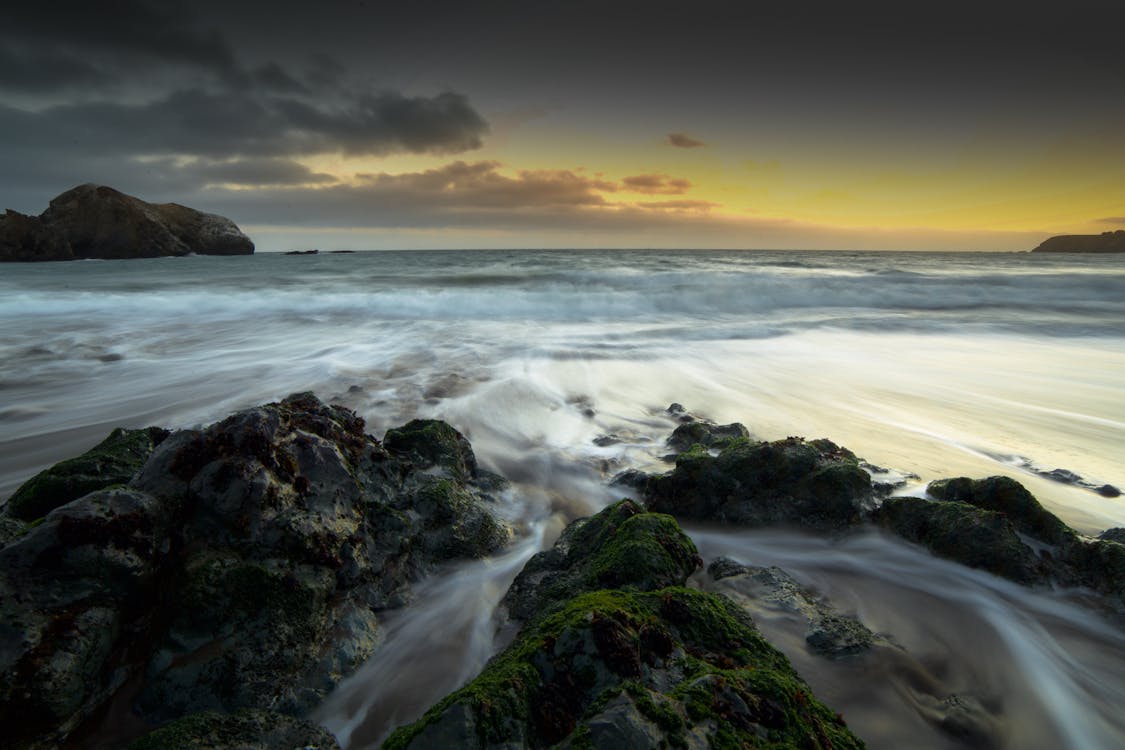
[[1007, 496]]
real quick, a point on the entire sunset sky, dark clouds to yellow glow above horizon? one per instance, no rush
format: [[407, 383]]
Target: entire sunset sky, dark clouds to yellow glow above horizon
[[574, 124]]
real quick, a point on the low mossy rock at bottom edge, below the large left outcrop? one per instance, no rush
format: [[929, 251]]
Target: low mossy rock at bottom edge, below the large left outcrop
[[245, 730]]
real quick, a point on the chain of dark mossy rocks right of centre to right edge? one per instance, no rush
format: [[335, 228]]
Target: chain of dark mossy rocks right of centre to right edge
[[994, 525]]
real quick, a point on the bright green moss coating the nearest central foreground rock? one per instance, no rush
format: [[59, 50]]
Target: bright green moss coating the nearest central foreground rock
[[505, 698]]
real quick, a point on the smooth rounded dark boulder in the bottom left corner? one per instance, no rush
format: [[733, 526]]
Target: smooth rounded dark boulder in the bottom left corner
[[75, 591]]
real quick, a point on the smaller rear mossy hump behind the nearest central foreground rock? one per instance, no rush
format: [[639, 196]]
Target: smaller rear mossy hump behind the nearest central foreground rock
[[623, 547]]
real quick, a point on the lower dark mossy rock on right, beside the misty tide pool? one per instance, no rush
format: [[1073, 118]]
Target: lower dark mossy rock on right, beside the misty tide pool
[[971, 536]]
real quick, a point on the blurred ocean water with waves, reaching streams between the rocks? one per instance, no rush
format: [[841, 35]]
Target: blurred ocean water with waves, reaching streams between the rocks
[[931, 365]]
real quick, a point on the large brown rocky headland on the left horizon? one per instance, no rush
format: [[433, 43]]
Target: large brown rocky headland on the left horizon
[[96, 222]]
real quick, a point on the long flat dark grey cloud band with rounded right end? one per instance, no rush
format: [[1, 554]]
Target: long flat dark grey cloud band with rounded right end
[[227, 124]]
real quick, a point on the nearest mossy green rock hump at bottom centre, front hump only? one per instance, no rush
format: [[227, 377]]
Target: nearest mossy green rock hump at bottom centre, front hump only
[[683, 663]]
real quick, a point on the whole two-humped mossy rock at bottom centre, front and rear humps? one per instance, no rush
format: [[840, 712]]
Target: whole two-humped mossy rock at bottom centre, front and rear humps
[[638, 668]]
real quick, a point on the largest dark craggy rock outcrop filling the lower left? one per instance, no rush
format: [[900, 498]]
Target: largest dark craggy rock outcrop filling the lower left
[[244, 566]]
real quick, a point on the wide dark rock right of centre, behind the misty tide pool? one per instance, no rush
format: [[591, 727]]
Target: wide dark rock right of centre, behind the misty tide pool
[[812, 484]]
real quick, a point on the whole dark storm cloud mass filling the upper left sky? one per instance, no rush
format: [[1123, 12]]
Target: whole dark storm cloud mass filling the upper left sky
[[154, 84]]
